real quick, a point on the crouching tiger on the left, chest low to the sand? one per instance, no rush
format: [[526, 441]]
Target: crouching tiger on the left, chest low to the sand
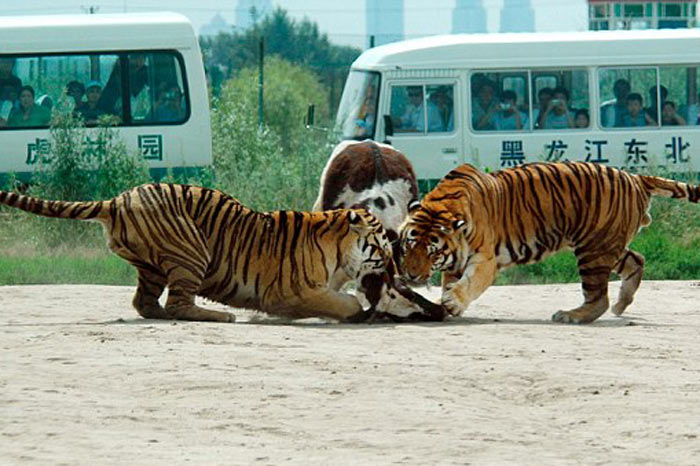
[[202, 242]]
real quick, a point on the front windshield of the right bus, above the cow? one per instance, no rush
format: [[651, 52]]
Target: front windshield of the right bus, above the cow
[[358, 107]]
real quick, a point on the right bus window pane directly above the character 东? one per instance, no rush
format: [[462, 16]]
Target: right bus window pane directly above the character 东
[[629, 97]]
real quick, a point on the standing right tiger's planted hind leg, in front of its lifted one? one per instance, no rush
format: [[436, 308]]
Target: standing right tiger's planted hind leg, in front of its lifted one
[[594, 272]]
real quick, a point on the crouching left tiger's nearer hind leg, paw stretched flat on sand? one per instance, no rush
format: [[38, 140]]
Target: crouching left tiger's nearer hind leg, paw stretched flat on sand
[[183, 284]]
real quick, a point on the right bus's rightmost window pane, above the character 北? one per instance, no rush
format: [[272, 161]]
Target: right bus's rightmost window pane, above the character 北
[[680, 85]]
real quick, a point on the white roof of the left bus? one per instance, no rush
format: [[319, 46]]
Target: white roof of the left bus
[[76, 33]]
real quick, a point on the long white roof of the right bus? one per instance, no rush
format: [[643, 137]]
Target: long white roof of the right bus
[[536, 49]]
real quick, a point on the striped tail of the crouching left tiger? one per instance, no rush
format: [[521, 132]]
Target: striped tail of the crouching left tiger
[[96, 210]]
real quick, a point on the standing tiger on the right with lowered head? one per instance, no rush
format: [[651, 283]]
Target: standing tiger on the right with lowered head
[[472, 224]]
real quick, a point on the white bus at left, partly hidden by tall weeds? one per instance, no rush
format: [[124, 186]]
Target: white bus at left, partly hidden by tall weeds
[[143, 70]]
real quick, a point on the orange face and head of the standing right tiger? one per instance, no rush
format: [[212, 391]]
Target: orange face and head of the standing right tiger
[[431, 240]]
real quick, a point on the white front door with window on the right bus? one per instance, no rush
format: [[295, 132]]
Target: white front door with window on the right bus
[[425, 124]]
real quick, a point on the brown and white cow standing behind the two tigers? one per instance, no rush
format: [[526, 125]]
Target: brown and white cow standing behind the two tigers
[[369, 174]]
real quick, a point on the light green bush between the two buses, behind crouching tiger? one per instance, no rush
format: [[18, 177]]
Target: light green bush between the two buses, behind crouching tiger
[[277, 166]]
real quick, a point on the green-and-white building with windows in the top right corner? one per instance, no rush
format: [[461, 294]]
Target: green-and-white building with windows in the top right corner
[[636, 14]]
